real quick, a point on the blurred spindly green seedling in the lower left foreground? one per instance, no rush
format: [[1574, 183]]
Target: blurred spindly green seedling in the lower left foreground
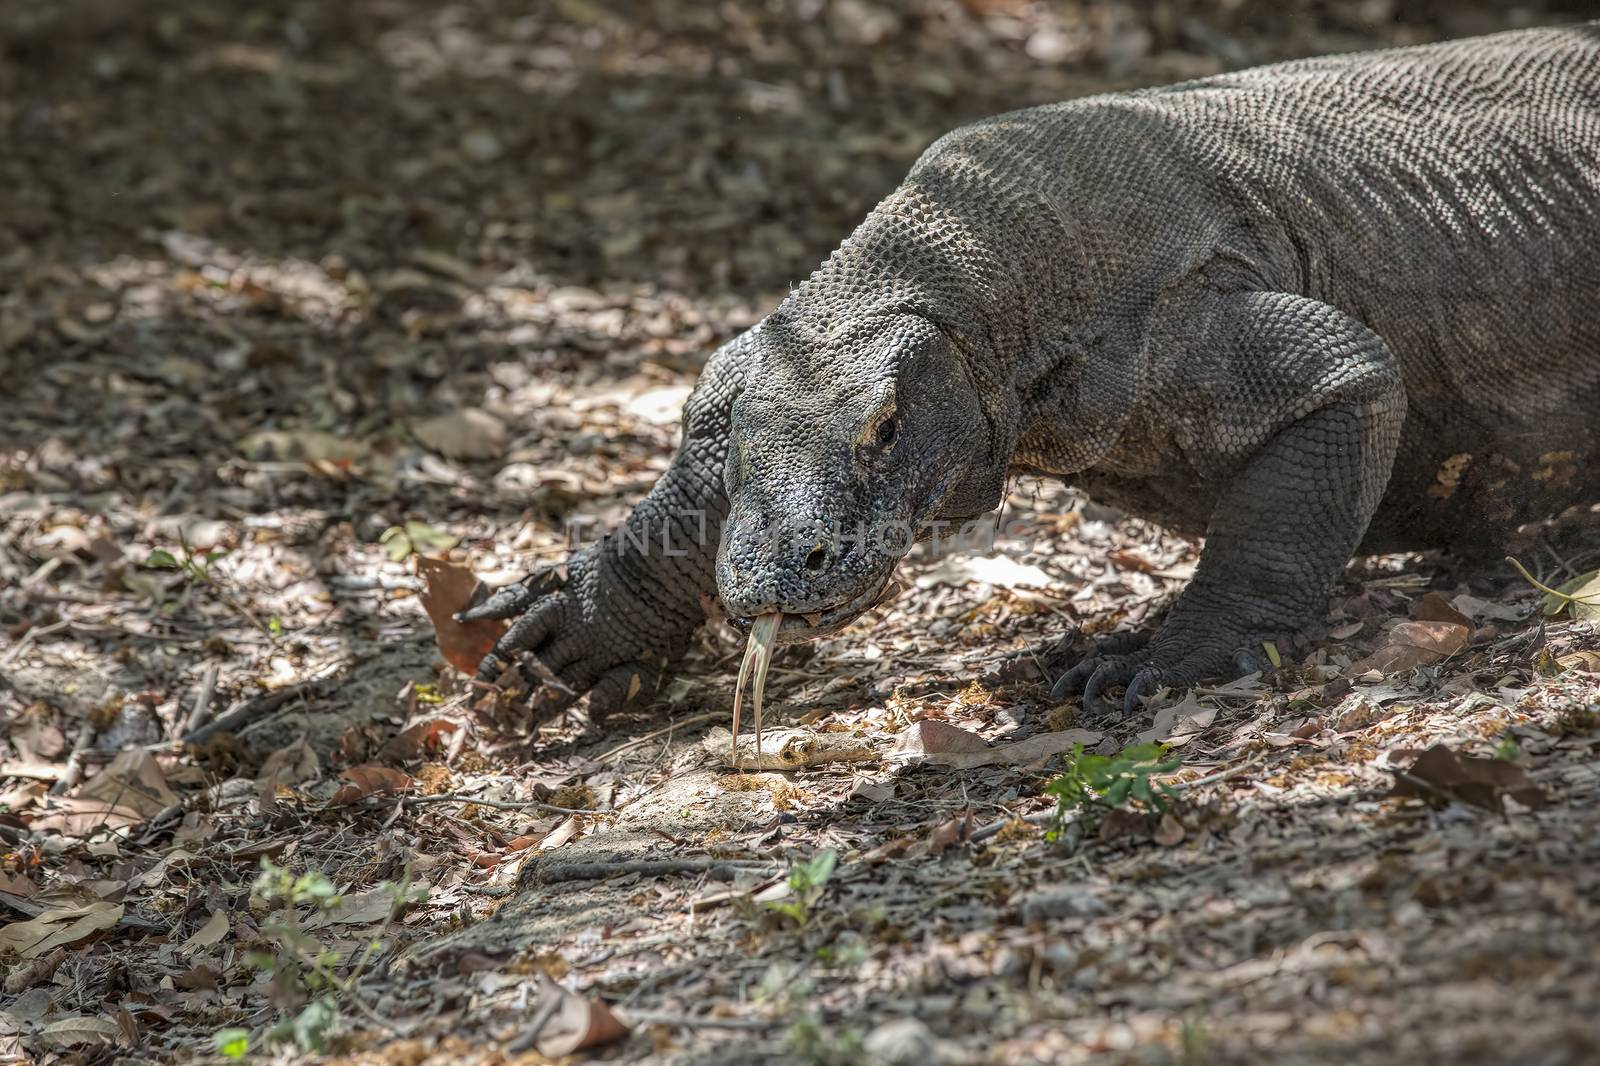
[[302, 968]]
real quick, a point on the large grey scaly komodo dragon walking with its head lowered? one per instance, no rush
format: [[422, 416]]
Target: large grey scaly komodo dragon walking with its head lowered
[[1308, 310]]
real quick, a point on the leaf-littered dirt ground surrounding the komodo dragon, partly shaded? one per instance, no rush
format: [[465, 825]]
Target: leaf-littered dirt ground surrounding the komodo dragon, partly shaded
[[294, 294]]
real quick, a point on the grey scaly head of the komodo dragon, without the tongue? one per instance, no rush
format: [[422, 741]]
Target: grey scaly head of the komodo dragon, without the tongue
[[847, 439]]
